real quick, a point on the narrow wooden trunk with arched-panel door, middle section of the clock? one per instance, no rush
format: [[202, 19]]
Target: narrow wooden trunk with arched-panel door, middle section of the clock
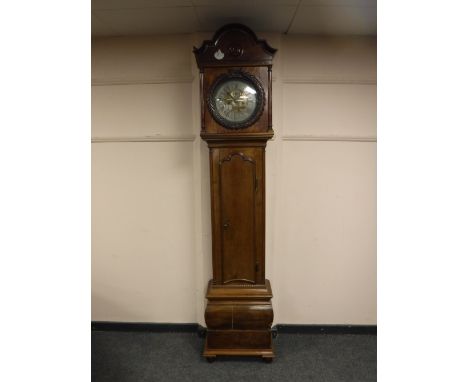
[[238, 213]]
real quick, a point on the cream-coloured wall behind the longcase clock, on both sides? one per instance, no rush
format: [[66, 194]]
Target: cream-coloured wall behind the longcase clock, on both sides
[[151, 221]]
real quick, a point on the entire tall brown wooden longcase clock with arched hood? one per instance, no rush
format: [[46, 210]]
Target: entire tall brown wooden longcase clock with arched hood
[[235, 93]]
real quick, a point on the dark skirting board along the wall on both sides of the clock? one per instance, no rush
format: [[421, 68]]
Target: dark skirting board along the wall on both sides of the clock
[[195, 328]]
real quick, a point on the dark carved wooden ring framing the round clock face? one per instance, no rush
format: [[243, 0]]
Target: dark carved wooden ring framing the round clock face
[[253, 82]]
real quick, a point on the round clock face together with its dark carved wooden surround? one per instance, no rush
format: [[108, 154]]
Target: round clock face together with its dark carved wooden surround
[[236, 100]]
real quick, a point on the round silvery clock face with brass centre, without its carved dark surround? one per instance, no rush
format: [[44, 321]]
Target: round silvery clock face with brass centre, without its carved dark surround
[[235, 100]]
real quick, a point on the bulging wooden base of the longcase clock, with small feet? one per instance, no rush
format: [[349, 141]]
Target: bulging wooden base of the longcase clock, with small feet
[[239, 319]]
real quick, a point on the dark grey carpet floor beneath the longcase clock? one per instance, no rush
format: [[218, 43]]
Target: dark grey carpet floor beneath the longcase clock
[[144, 357]]
